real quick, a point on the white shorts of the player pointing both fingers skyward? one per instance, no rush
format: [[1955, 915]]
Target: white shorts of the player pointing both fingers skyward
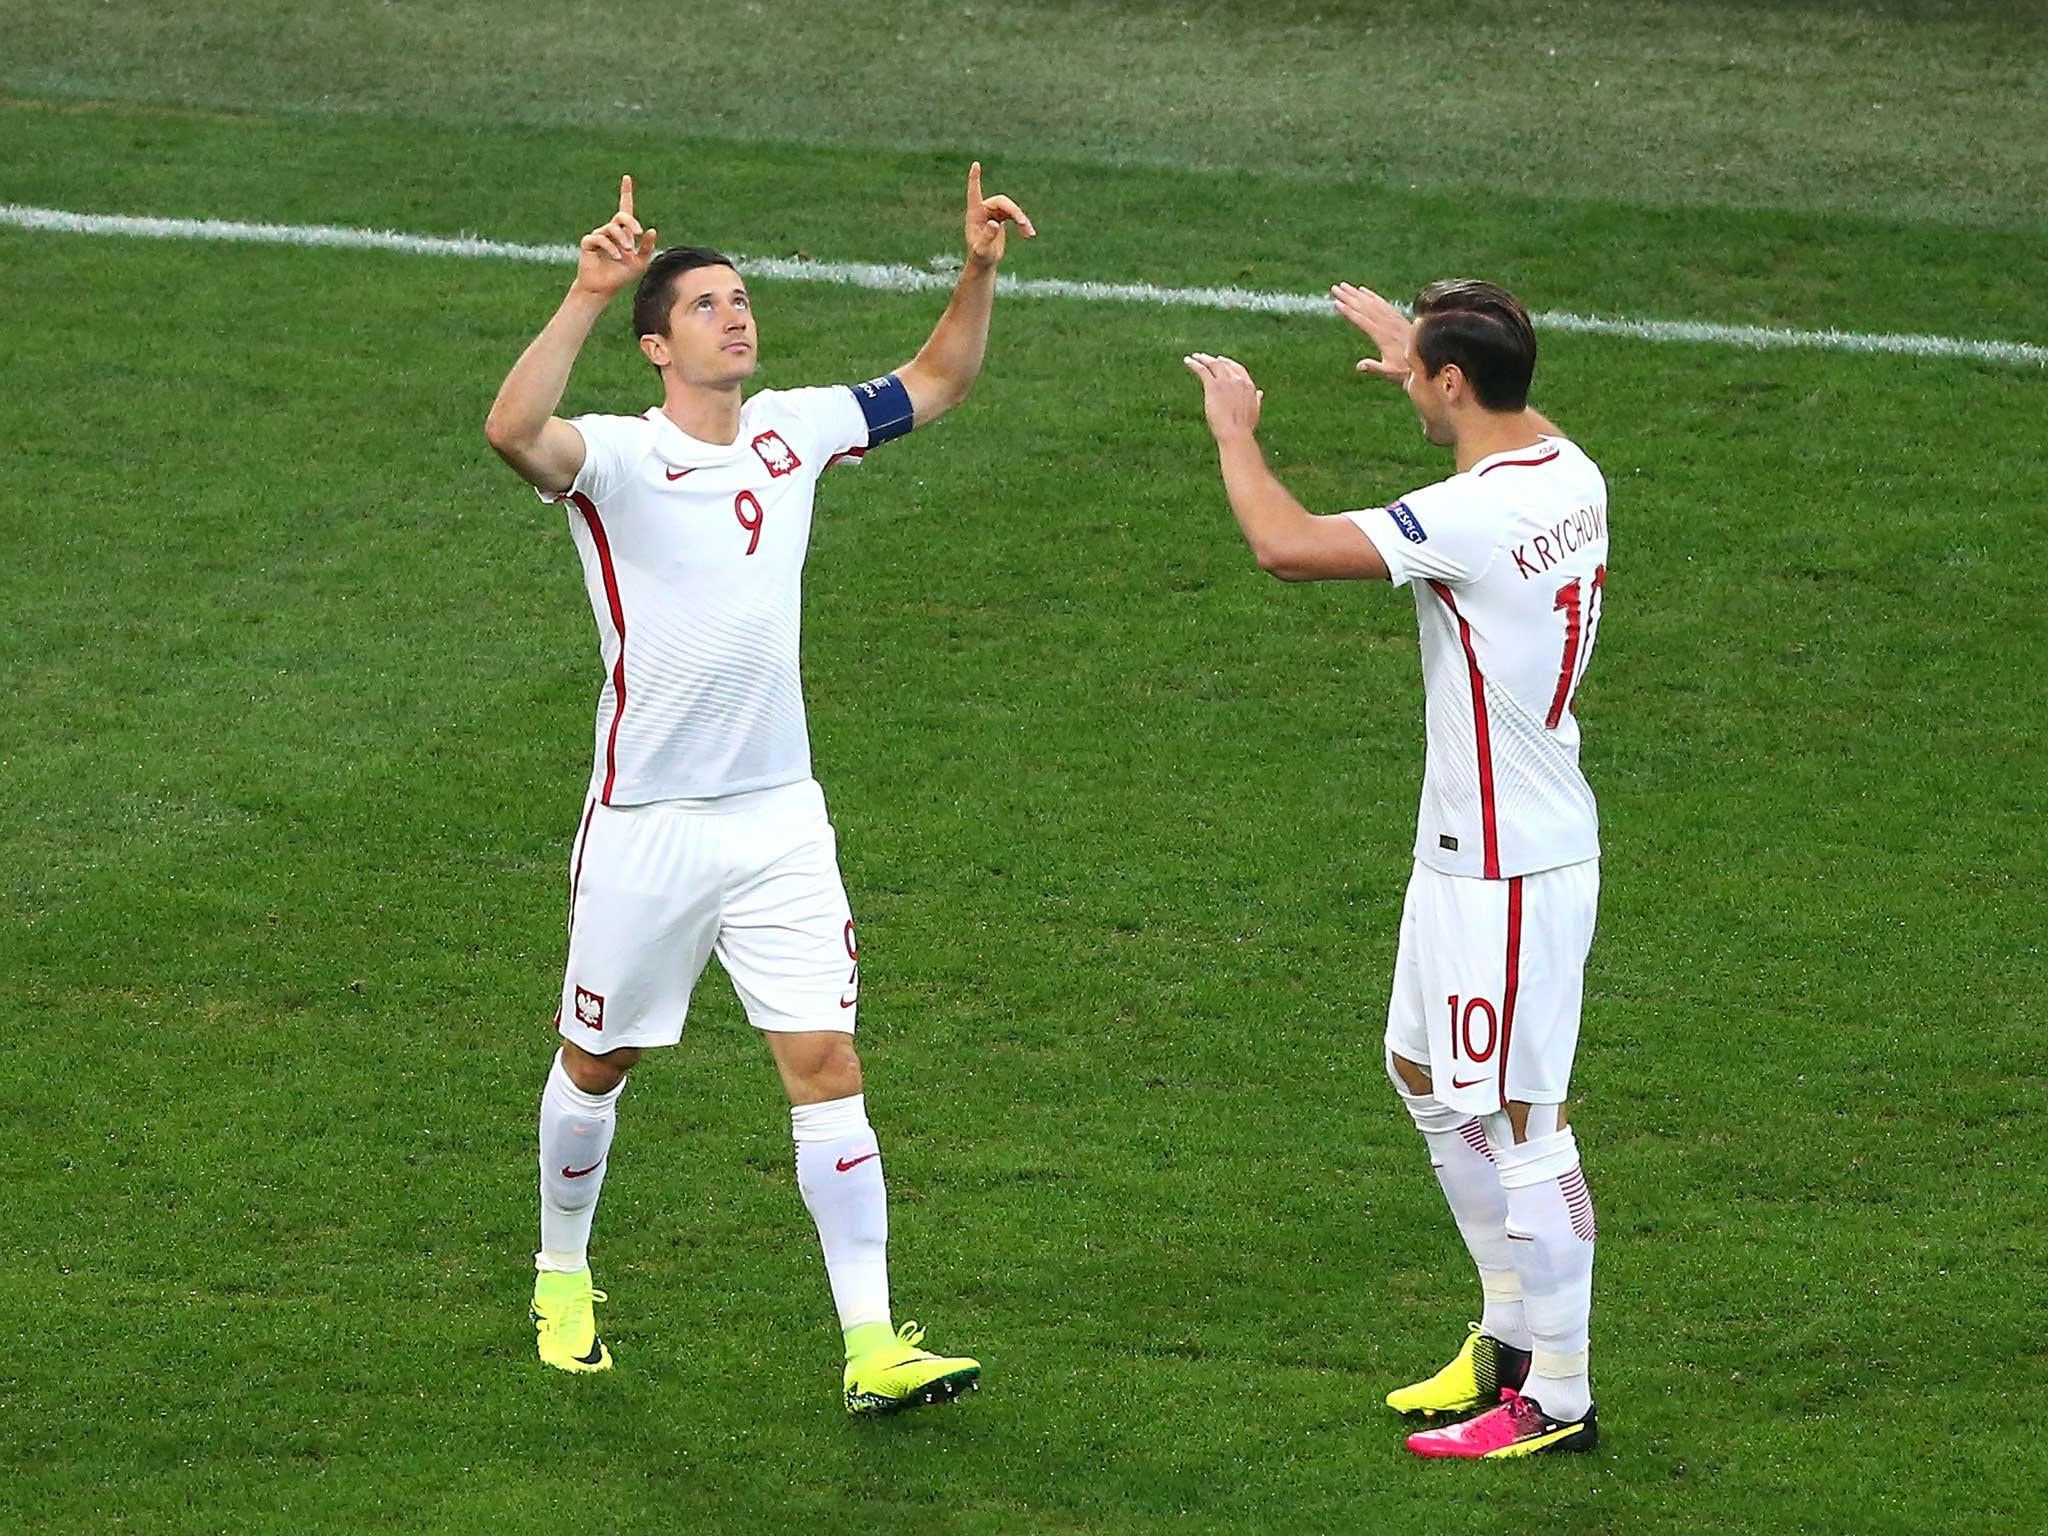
[[658, 890]]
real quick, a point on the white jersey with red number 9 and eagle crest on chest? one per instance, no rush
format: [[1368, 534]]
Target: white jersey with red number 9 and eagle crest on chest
[[693, 556]]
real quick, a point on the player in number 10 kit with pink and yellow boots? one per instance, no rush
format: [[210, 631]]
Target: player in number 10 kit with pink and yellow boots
[[1508, 560]]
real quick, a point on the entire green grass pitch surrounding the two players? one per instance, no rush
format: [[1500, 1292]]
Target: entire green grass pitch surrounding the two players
[[300, 716]]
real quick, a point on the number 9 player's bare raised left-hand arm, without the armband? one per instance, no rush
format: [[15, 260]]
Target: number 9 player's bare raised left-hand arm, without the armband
[[523, 425]]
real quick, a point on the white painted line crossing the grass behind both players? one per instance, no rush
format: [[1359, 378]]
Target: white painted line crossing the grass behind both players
[[914, 280]]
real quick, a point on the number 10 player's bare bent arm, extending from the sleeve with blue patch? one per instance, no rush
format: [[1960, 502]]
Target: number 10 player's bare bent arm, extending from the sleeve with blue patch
[[1285, 538]]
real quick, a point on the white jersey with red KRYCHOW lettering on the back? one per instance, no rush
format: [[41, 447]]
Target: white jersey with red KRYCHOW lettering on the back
[[1508, 562]]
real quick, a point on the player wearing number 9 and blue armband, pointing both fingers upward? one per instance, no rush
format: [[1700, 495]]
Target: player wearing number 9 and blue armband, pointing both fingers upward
[[706, 833]]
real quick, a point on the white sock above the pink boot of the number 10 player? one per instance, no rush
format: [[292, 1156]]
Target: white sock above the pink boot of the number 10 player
[[1551, 1230]]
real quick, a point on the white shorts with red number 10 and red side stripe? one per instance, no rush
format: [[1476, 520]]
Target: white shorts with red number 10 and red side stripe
[[1490, 982]]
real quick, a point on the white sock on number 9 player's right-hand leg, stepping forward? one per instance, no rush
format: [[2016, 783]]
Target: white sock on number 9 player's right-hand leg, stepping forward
[[841, 1175]]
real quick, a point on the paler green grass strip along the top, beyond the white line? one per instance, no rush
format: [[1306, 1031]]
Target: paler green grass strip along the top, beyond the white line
[[1922, 108]]
